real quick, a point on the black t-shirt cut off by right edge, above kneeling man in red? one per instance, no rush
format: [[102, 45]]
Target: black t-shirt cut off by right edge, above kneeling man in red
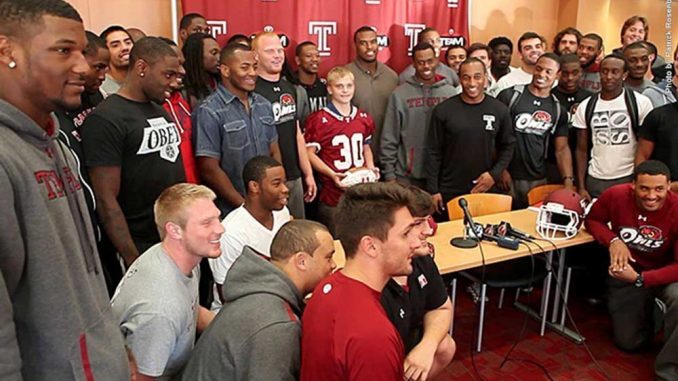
[[660, 128]]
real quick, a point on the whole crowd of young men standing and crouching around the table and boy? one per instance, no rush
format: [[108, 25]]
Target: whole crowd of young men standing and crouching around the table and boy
[[102, 153]]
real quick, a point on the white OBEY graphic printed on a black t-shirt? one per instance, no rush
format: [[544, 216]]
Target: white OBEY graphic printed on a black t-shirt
[[161, 136]]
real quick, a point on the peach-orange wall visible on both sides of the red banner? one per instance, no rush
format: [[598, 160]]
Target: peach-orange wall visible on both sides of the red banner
[[489, 18]]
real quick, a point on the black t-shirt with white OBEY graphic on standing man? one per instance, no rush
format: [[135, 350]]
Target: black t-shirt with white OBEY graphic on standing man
[[141, 139]]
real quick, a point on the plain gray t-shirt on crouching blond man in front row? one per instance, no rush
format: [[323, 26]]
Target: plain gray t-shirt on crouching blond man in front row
[[156, 306]]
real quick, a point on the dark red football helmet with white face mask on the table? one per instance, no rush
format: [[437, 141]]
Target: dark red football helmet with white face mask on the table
[[561, 212]]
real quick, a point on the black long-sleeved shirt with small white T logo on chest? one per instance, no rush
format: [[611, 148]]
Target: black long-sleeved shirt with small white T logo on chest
[[461, 148]]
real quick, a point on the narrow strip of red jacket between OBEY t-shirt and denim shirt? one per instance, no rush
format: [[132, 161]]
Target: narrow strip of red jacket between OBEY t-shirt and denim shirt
[[180, 112]]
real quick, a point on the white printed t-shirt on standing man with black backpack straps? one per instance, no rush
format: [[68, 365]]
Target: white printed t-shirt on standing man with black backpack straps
[[614, 142]]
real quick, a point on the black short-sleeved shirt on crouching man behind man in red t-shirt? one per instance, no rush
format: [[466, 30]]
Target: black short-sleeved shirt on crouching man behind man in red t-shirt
[[406, 308]]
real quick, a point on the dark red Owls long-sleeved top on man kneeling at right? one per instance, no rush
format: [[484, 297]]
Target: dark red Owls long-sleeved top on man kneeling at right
[[650, 236]]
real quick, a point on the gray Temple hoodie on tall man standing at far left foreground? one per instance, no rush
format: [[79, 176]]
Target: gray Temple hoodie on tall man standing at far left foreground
[[55, 320]]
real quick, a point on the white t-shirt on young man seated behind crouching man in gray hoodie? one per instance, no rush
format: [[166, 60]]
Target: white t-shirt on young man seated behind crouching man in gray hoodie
[[241, 228]]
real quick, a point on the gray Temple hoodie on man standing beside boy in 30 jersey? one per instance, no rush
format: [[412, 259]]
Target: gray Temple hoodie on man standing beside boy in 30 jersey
[[403, 138]]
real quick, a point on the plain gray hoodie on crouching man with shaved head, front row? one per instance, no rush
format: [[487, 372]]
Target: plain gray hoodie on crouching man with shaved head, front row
[[257, 333]]
